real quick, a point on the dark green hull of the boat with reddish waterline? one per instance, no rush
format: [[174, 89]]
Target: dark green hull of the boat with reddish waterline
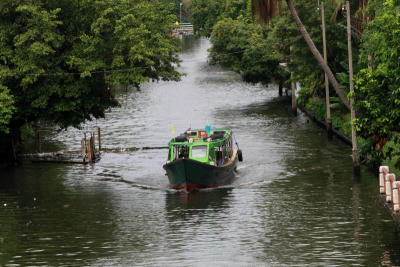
[[190, 174]]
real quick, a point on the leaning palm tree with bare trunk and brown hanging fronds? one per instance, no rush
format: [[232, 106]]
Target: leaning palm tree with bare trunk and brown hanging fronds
[[266, 8]]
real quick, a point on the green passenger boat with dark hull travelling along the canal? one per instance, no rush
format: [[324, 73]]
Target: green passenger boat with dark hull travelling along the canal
[[202, 158]]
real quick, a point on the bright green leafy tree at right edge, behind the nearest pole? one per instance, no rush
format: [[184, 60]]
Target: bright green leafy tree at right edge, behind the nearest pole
[[377, 90]]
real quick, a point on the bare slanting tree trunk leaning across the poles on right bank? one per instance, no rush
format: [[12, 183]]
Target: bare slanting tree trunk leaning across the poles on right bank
[[317, 55]]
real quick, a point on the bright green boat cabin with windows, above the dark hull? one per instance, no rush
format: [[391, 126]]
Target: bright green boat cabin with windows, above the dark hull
[[214, 148]]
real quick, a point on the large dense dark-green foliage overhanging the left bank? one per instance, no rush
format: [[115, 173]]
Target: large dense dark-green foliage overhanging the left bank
[[57, 58]]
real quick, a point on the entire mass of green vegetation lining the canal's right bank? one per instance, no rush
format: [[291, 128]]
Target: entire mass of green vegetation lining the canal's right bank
[[255, 37]]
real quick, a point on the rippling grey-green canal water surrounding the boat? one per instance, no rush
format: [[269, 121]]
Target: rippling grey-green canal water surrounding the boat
[[294, 202]]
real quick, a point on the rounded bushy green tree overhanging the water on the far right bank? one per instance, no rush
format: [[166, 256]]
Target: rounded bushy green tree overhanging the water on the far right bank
[[241, 44]]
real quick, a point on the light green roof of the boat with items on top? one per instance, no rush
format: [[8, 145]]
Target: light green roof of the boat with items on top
[[216, 136]]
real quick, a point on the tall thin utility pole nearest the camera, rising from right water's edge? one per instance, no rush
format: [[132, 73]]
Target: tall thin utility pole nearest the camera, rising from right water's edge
[[356, 159]]
